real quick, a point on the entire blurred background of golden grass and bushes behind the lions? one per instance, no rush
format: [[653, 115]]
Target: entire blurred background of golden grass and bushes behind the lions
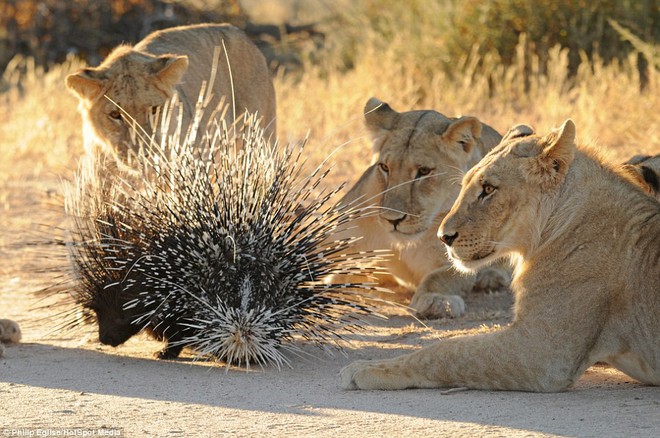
[[504, 61]]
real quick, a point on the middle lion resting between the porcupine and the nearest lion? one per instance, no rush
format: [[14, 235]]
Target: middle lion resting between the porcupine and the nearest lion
[[419, 158]]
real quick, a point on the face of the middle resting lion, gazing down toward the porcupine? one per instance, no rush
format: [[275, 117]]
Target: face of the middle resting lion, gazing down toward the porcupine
[[420, 157]]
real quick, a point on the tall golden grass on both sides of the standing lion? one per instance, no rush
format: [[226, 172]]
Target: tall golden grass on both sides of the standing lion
[[40, 128]]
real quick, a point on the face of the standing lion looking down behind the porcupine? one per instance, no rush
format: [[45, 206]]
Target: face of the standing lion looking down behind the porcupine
[[128, 85]]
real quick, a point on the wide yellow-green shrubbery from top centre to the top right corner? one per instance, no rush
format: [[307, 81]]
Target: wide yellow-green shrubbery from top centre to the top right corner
[[438, 34]]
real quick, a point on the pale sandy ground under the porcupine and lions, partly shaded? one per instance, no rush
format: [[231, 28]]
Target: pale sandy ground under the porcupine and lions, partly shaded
[[69, 383]]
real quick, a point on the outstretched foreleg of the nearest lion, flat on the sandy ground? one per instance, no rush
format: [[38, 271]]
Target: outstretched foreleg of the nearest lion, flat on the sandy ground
[[511, 359]]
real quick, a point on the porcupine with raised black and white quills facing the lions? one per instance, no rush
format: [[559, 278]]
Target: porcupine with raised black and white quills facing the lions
[[221, 249]]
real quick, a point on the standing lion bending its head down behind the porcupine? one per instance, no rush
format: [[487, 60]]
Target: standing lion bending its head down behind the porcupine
[[136, 82]]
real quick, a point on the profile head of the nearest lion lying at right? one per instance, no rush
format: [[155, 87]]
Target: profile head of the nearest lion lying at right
[[501, 204]]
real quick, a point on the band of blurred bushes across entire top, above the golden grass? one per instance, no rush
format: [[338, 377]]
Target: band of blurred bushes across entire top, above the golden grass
[[437, 32]]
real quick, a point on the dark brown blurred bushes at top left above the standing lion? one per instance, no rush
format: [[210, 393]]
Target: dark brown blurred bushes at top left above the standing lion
[[49, 30]]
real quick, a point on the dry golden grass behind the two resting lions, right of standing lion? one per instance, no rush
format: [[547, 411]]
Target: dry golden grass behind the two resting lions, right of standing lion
[[604, 101]]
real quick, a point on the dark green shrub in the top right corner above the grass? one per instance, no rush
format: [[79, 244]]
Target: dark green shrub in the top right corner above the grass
[[581, 26]]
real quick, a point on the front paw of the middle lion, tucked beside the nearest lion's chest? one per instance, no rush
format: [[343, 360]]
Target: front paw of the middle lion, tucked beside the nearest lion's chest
[[439, 294]]
